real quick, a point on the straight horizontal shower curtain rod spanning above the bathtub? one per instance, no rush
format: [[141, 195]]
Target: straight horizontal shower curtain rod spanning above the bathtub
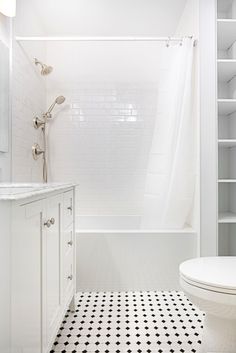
[[104, 39]]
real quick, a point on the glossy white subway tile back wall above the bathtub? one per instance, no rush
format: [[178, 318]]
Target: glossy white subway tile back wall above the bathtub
[[101, 138]]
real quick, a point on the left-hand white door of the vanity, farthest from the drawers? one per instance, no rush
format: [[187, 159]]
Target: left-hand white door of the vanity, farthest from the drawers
[[26, 277]]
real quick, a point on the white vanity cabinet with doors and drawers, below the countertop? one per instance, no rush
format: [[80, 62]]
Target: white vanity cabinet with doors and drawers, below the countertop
[[43, 265]]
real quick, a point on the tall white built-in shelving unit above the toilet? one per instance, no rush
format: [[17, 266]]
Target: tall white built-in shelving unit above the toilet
[[226, 102]]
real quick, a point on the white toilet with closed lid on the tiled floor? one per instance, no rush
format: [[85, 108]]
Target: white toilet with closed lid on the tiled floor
[[210, 283]]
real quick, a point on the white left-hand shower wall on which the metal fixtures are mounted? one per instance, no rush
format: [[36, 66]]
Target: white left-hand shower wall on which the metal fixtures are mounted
[[28, 100]]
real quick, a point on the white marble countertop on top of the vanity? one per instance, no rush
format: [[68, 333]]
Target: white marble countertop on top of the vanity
[[18, 191]]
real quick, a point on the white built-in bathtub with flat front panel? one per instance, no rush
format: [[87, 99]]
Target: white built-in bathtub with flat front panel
[[114, 254]]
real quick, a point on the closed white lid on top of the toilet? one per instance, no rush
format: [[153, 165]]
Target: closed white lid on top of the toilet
[[218, 272]]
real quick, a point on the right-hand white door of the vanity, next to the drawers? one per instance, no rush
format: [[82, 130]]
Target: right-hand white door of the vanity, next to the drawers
[[52, 269]]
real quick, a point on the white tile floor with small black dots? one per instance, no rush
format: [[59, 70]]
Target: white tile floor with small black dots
[[131, 322]]
